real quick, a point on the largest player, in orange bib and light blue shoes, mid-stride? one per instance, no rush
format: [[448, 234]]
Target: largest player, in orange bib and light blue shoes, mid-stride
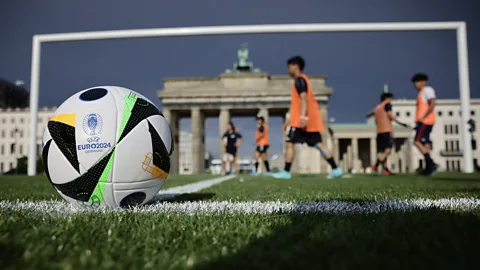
[[306, 122]]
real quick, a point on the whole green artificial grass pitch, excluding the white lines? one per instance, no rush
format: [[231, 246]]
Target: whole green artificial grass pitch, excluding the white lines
[[431, 238]]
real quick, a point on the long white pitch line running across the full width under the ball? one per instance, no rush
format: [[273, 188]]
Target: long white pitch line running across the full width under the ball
[[256, 207]]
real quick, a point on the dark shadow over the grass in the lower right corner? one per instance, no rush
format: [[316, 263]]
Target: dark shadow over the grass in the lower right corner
[[430, 239]]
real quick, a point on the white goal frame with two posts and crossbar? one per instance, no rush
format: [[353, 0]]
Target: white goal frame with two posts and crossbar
[[459, 26]]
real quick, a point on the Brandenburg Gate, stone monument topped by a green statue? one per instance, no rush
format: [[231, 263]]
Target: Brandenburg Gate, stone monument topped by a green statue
[[243, 91]]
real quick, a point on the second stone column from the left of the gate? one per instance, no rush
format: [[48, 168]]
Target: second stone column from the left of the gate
[[198, 140]]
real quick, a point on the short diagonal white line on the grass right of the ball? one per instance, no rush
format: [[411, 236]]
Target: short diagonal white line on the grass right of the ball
[[190, 188]]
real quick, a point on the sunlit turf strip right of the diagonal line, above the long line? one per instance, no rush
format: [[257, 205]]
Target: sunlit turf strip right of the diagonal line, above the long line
[[359, 187]]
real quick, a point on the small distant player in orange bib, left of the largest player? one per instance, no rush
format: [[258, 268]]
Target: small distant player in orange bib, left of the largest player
[[262, 141]]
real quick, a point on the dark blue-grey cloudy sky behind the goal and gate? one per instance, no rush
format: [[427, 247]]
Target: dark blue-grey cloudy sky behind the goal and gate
[[357, 65]]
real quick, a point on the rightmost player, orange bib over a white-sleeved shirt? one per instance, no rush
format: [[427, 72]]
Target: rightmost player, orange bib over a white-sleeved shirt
[[425, 119]]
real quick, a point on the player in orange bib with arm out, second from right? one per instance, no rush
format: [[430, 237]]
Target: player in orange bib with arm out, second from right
[[383, 119]]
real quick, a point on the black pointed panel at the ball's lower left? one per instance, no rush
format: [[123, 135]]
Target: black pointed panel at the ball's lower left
[[82, 188]]
